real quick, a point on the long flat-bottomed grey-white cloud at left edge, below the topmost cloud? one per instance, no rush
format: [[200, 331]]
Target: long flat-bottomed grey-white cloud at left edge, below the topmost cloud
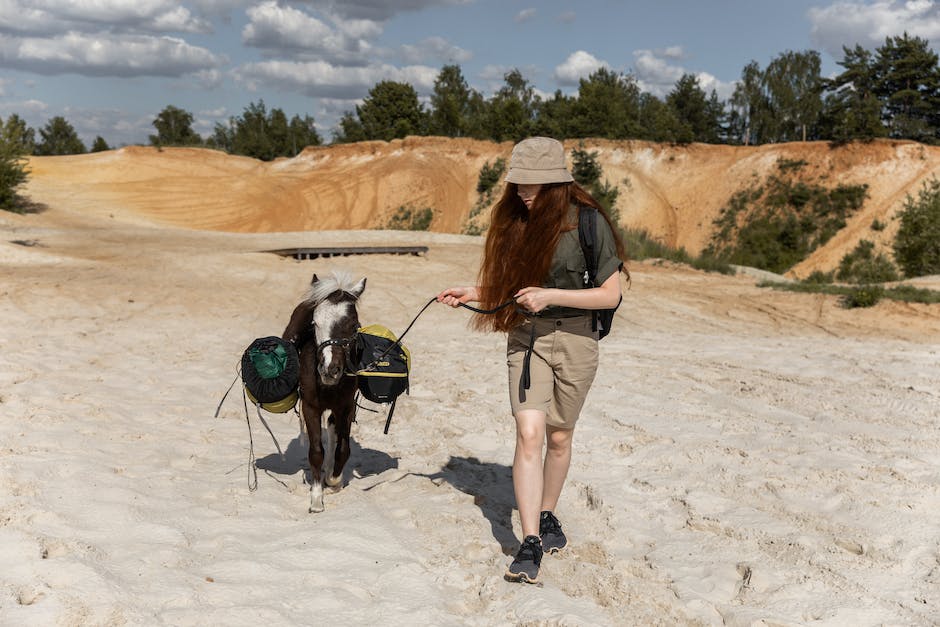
[[106, 55]]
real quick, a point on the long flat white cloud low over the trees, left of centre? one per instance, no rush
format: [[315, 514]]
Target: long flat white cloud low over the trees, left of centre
[[323, 79]]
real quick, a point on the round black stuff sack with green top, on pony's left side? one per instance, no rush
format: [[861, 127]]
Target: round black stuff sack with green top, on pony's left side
[[271, 374]]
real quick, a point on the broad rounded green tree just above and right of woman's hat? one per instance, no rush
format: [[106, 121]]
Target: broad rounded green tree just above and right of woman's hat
[[608, 105]]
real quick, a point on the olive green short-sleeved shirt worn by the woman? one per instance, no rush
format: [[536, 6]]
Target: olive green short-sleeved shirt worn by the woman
[[568, 265]]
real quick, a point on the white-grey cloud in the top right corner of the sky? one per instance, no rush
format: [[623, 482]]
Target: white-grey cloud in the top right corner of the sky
[[869, 24]]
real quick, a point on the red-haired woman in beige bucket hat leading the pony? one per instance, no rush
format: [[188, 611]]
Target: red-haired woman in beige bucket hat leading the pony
[[533, 256]]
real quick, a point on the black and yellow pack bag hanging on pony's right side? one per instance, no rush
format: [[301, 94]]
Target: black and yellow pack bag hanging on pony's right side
[[384, 364]]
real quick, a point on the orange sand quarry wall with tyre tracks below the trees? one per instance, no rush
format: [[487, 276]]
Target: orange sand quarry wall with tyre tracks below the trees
[[674, 192]]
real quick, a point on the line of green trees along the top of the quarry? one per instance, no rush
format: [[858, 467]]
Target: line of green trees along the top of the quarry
[[892, 91]]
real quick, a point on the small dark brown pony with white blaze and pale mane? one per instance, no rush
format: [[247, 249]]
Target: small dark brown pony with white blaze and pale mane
[[323, 328]]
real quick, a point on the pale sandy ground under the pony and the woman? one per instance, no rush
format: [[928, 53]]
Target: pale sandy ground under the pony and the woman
[[746, 457]]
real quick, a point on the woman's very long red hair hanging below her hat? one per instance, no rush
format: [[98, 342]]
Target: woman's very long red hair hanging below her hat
[[520, 243]]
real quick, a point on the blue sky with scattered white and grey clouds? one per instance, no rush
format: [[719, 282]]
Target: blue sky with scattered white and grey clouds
[[110, 66]]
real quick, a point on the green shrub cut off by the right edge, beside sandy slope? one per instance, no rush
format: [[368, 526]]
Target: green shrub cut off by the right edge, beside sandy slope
[[917, 244]]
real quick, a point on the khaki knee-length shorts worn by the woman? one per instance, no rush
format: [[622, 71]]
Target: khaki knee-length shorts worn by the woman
[[561, 369]]
